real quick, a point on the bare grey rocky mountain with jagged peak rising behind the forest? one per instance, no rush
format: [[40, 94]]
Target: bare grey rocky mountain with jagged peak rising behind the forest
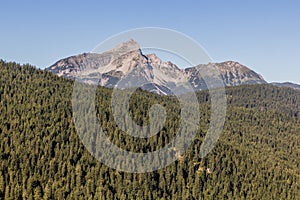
[[127, 60]]
